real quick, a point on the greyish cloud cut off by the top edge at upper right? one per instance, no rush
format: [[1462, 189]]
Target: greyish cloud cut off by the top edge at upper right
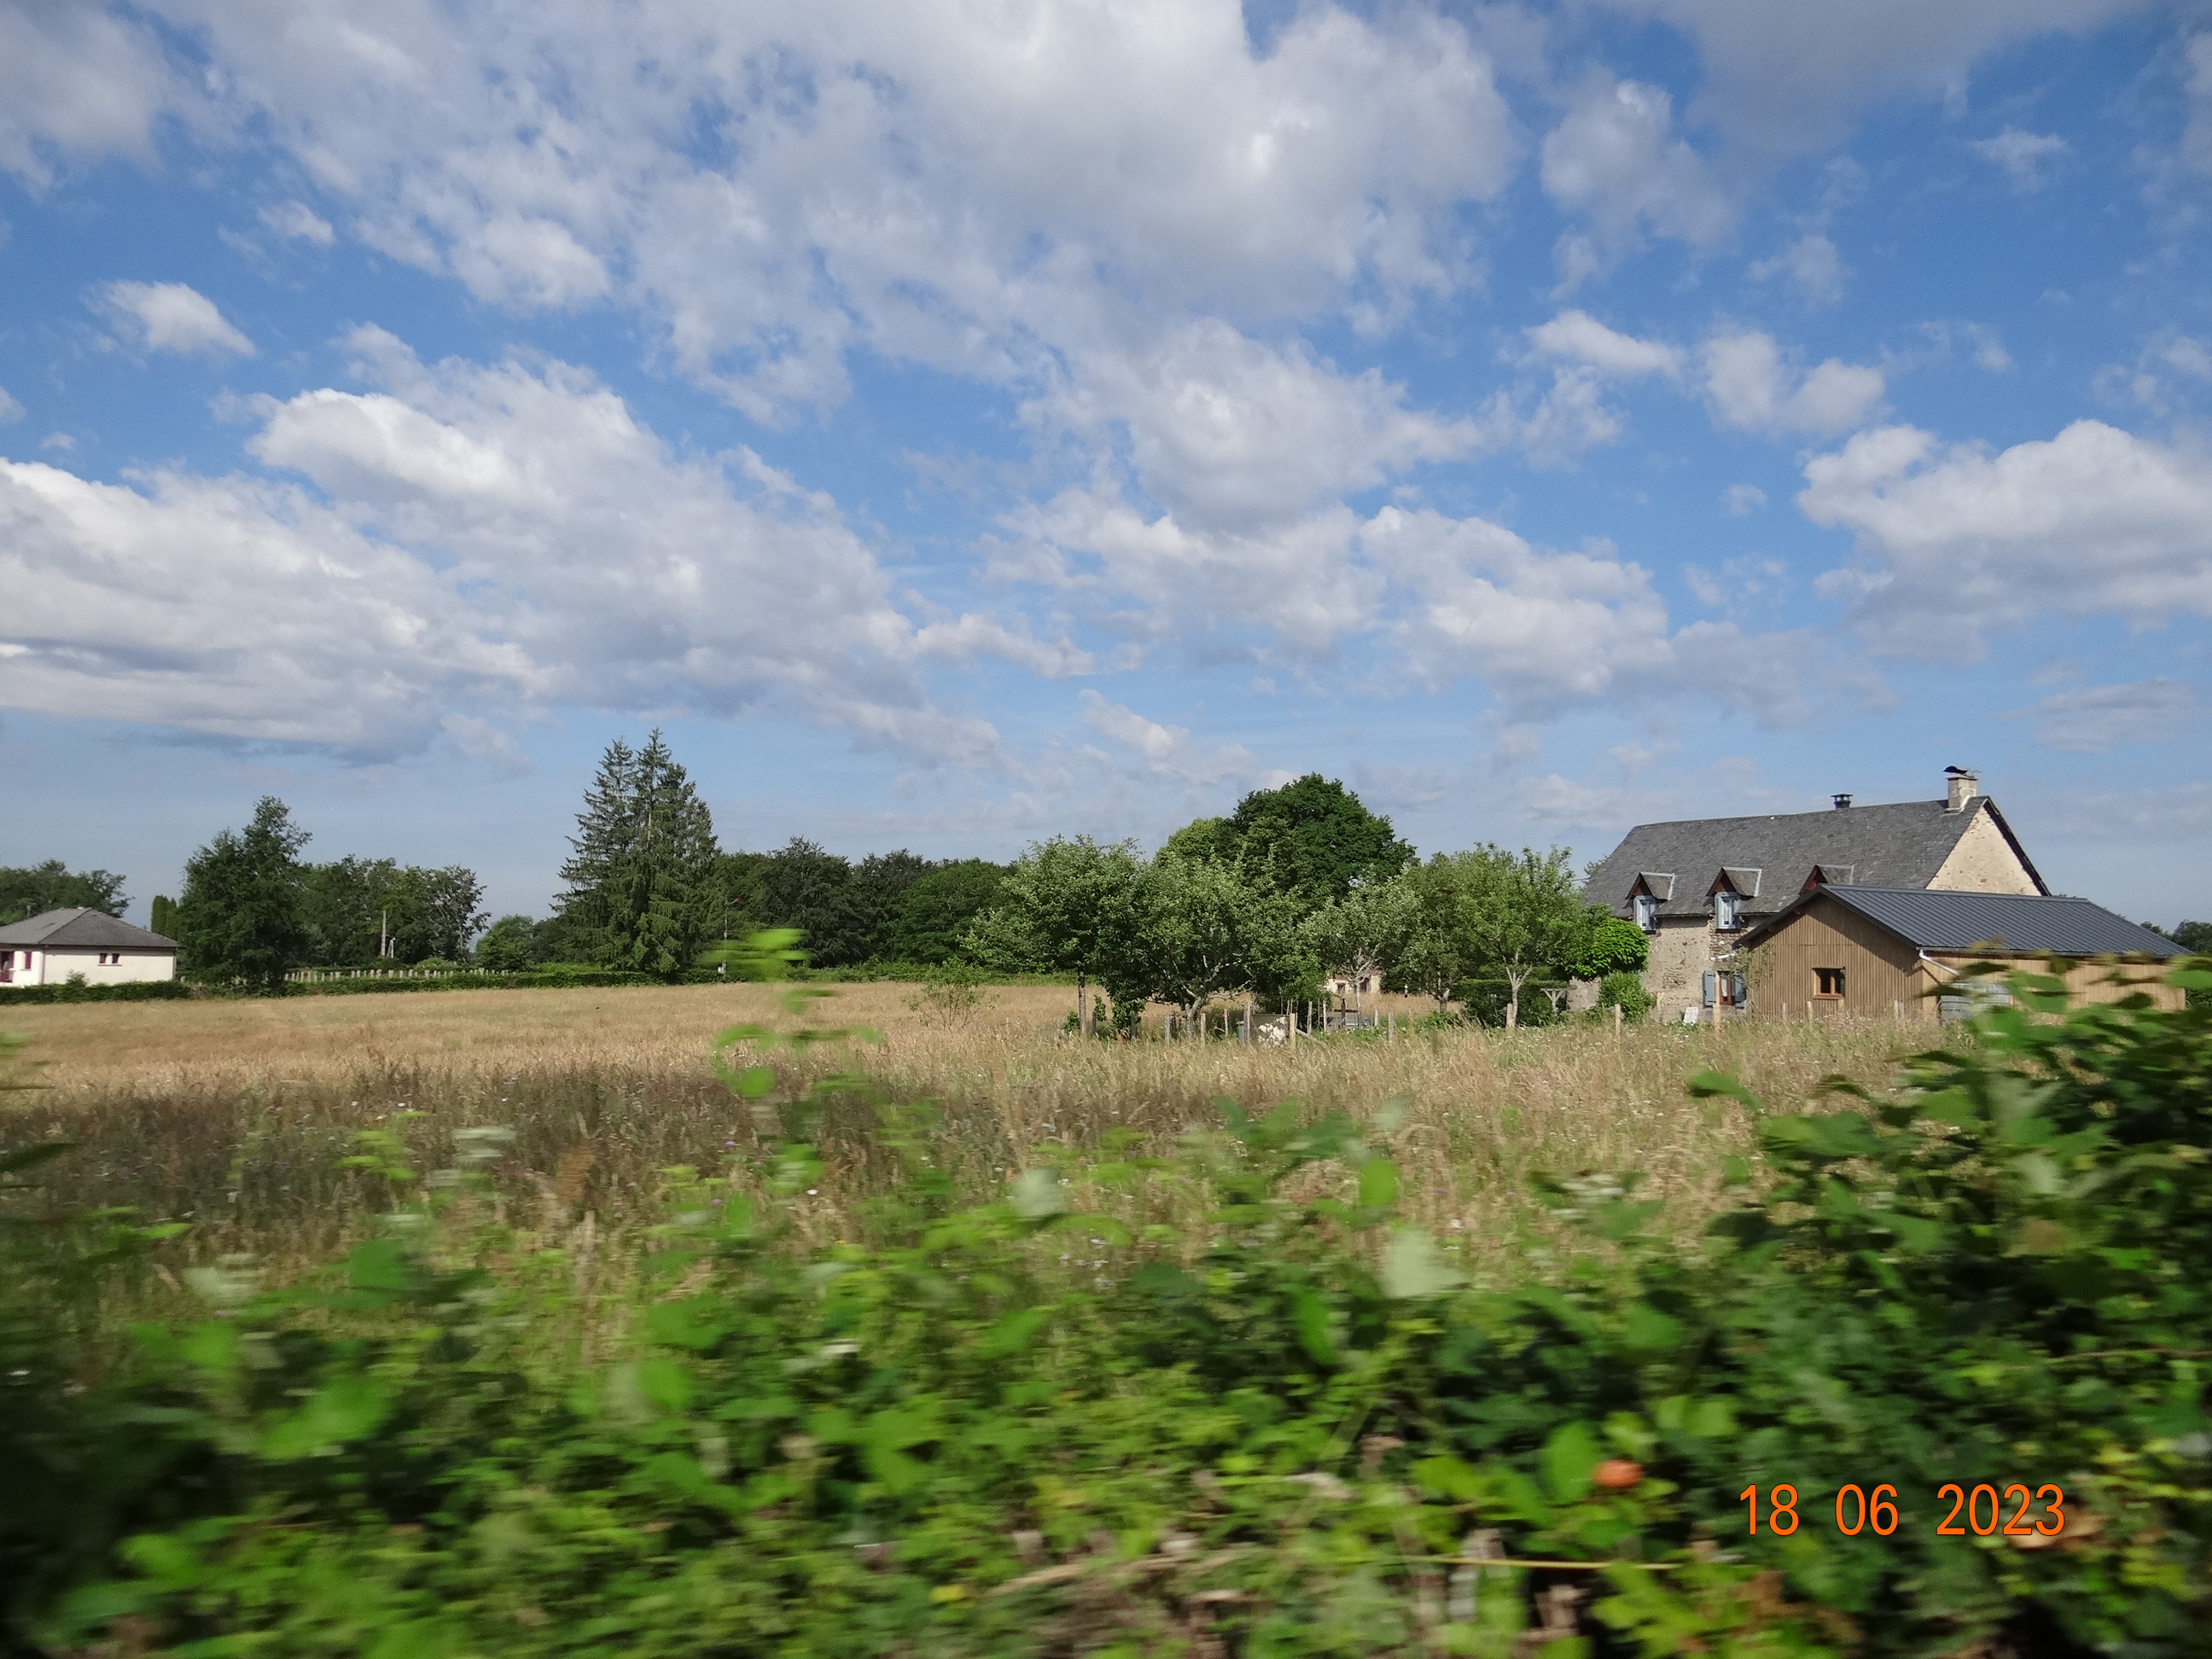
[[1791, 79]]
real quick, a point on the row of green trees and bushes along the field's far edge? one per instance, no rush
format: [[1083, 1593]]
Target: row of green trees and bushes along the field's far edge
[[1297, 886]]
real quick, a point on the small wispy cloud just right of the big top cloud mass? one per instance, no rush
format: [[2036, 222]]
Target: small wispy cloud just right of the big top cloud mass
[[1618, 160]]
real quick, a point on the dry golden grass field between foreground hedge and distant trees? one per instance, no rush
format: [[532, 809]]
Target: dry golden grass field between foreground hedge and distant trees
[[238, 1114]]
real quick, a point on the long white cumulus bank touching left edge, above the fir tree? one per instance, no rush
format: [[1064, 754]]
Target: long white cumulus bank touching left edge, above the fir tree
[[481, 541]]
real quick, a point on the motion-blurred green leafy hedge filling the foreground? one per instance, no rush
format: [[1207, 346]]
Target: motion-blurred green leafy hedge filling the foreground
[[1019, 1430]]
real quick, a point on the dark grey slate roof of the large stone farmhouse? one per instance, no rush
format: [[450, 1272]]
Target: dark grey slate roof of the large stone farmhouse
[[1771, 859]]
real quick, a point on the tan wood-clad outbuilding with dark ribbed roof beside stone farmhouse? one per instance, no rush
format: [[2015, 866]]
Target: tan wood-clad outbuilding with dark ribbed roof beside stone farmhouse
[[1903, 952]]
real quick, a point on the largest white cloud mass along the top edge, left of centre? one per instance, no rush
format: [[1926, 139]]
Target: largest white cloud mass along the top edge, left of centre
[[979, 189]]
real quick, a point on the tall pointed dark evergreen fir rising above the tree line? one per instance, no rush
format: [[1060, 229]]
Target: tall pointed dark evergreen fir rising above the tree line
[[643, 886]]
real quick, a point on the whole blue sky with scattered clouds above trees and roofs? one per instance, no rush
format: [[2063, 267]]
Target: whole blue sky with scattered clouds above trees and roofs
[[979, 419]]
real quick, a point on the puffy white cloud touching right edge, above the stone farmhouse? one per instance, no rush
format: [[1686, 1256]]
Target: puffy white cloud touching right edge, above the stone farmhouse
[[1957, 543]]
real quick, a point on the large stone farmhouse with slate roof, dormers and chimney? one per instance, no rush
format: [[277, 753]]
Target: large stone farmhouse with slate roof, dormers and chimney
[[1702, 884]]
